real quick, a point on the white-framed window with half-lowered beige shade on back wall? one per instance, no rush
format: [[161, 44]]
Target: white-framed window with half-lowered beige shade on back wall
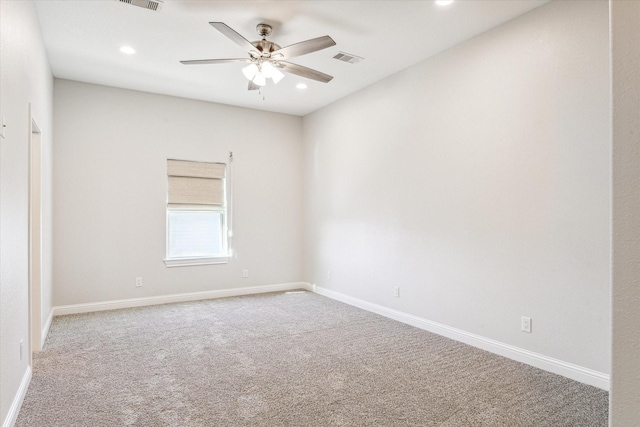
[[197, 213]]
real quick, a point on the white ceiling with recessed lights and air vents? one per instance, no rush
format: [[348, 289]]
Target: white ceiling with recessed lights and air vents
[[83, 38]]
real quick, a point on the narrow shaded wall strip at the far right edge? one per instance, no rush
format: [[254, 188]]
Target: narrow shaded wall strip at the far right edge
[[625, 378]]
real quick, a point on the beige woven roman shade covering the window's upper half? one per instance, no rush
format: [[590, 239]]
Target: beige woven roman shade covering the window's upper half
[[195, 183]]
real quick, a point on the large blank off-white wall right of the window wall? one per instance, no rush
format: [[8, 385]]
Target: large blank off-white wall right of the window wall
[[479, 182]]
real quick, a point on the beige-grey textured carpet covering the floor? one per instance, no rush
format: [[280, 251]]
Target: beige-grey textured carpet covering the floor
[[284, 360]]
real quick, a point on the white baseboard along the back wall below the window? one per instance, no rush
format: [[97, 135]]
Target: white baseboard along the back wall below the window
[[167, 299]]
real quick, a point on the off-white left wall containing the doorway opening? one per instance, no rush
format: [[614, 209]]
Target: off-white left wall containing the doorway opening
[[25, 77]]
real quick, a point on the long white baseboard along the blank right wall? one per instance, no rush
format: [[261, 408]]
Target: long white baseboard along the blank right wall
[[556, 366]]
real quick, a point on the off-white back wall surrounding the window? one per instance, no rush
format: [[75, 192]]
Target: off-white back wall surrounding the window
[[111, 147]]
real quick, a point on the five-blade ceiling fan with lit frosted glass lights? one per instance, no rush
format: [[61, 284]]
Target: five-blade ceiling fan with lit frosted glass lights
[[267, 59]]
